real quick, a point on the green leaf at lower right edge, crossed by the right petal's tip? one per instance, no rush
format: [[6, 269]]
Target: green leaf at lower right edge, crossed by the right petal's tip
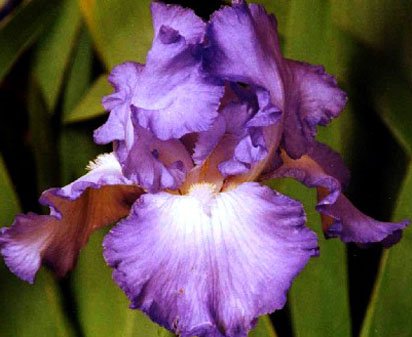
[[389, 312]]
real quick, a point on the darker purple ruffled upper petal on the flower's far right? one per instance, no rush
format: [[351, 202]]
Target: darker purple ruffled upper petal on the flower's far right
[[314, 98]]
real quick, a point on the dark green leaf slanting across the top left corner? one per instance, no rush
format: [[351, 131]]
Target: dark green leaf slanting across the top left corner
[[22, 30]]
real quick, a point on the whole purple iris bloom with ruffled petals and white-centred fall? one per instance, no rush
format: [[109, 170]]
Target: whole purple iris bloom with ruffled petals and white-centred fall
[[200, 246]]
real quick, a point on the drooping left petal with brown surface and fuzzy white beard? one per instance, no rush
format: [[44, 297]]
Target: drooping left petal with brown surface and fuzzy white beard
[[97, 199]]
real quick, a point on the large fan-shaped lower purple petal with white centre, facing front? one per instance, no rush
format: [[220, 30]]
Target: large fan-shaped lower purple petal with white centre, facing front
[[208, 264]]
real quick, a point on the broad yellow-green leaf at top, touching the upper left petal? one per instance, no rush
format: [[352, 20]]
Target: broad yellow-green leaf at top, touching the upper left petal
[[120, 32]]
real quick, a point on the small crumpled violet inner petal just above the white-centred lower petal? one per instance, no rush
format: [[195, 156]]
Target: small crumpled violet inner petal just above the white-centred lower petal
[[240, 127]]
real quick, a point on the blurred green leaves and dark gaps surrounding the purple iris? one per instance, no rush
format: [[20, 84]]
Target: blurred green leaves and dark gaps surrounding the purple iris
[[54, 59]]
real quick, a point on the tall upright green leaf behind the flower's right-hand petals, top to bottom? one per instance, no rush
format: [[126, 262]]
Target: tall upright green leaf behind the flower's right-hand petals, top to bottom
[[319, 296]]
